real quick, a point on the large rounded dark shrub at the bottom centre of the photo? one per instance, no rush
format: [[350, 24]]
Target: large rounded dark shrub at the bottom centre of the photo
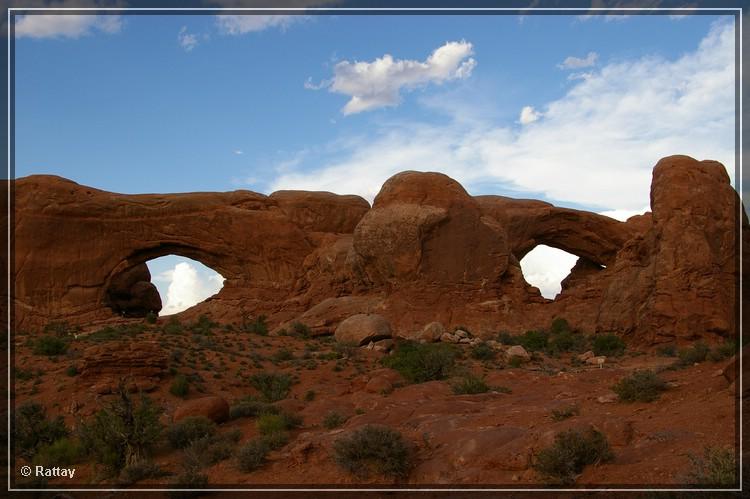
[[373, 448]]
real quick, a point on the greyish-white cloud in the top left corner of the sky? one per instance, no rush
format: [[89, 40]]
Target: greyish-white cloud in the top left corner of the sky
[[64, 25]]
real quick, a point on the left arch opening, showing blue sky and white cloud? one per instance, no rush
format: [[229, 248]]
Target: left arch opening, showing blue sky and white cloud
[[182, 282]]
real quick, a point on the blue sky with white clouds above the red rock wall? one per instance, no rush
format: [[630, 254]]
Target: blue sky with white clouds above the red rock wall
[[186, 103]]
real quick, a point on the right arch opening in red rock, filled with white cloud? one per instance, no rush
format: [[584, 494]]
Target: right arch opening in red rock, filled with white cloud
[[546, 268]]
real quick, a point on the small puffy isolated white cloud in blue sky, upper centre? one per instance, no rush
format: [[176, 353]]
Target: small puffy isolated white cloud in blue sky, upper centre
[[376, 84]]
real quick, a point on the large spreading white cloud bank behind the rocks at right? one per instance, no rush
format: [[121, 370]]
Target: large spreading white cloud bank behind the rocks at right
[[596, 146]]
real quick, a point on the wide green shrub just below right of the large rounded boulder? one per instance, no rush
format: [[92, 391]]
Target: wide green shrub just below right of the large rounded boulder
[[422, 362]]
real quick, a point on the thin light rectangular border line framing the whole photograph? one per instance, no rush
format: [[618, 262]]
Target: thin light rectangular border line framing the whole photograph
[[737, 10]]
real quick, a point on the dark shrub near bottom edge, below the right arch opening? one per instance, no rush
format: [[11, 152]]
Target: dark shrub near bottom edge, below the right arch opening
[[572, 451]]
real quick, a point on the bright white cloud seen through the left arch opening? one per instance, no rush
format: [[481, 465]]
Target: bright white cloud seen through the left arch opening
[[187, 287]]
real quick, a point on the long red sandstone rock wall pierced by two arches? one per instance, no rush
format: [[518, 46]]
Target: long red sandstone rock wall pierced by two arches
[[426, 252]]
